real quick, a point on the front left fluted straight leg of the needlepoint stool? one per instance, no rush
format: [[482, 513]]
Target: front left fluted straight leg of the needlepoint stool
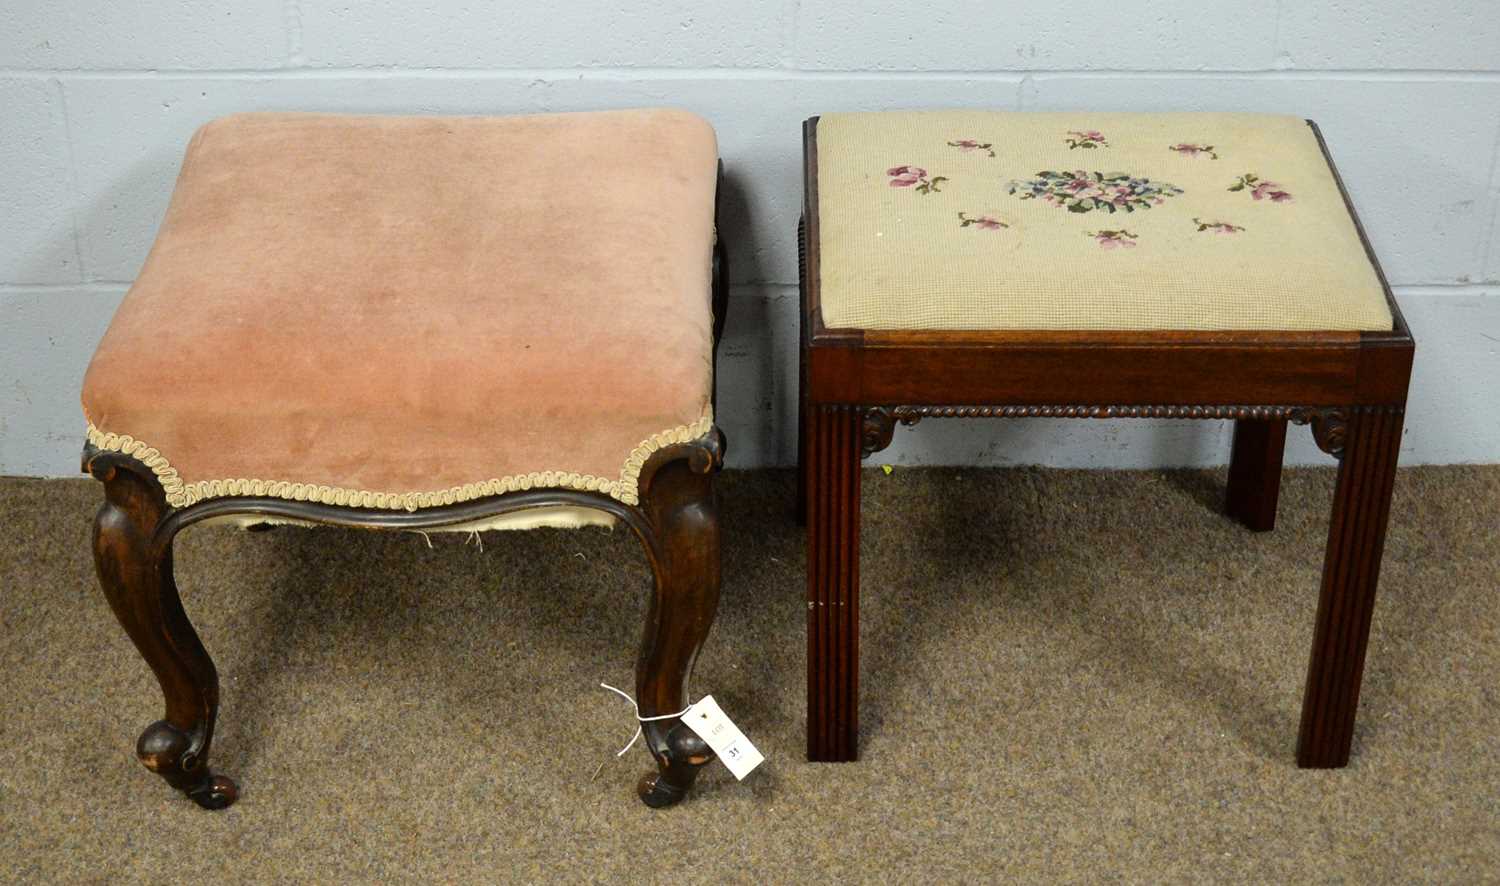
[[833, 447]]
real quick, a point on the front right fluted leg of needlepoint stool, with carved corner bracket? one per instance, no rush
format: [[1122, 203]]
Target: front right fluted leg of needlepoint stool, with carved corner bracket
[[1369, 443]]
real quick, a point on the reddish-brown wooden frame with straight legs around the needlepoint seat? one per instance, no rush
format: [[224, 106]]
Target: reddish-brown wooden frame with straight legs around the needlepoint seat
[[857, 385]]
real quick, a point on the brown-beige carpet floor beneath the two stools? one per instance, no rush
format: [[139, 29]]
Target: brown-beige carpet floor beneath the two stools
[[1067, 677]]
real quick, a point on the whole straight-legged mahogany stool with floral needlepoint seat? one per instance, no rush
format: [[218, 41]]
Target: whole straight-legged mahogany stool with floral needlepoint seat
[[1094, 266]]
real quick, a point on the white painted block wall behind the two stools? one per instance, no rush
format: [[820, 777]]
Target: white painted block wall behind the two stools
[[98, 100]]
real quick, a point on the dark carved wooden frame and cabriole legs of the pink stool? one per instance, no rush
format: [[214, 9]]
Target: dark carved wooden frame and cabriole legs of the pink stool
[[677, 522]]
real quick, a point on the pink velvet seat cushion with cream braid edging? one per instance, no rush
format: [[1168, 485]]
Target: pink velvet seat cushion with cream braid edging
[[406, 313]]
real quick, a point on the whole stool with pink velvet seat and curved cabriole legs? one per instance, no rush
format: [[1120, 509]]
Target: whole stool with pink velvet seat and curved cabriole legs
[[419, 323]]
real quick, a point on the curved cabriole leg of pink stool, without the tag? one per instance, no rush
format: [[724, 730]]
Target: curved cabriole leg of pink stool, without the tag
[[136, 572]]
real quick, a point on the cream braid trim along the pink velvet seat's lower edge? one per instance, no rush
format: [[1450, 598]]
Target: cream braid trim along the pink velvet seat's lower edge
[[182, 494]]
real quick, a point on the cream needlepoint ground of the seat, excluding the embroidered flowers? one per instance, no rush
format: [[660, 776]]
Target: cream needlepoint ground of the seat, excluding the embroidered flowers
[[896, 259]]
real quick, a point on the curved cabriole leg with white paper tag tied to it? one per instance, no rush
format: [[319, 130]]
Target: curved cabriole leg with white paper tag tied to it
[[685, 518]]
